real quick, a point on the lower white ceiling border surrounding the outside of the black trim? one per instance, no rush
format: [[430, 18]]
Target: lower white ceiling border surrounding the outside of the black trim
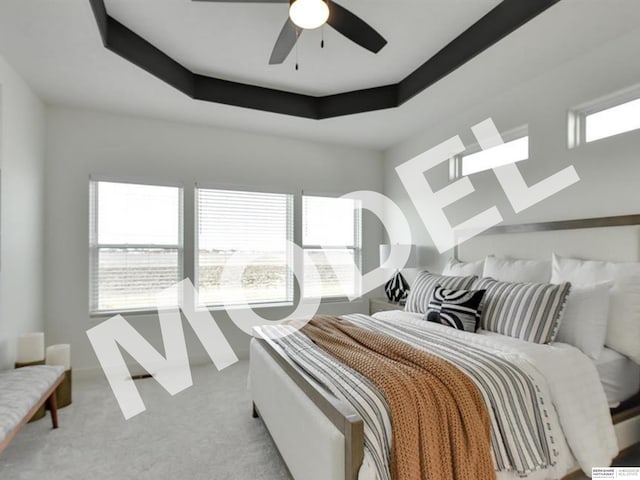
[[55, 46]]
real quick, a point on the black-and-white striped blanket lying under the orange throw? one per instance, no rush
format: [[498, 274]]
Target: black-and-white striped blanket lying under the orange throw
[[521, 435]]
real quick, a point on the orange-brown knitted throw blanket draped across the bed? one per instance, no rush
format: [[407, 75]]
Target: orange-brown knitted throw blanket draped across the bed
[[440, 421]]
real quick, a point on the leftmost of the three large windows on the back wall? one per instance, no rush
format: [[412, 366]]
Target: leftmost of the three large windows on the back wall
[[135, 245]]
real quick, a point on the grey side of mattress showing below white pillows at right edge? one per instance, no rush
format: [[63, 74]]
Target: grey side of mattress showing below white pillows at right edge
[[620, 376]]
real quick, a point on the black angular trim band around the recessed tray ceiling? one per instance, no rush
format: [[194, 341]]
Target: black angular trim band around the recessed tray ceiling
[[502, 20]]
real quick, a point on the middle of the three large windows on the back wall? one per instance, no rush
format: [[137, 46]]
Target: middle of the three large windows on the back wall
[[252, 227]]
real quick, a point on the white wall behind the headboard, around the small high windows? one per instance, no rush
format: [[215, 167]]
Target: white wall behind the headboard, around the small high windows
[[609, 169]]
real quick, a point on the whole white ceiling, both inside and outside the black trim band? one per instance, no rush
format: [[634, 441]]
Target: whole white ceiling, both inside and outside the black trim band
[[55, 46]]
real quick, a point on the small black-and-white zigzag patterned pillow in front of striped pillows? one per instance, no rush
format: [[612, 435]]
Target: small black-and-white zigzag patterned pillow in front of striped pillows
[[459, 309]]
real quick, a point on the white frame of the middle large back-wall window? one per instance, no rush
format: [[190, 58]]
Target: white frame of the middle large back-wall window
[[291, 235]]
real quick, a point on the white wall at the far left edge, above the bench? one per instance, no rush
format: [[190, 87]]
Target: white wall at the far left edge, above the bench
[[21, 218]]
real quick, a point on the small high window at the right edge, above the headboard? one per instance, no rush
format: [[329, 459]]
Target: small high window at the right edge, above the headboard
[[605, 118]]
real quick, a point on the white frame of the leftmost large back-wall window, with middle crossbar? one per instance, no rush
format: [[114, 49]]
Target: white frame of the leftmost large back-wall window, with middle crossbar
[[95, 246]]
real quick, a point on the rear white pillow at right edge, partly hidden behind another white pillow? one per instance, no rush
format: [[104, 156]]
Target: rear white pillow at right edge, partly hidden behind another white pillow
[[623, 328]]
